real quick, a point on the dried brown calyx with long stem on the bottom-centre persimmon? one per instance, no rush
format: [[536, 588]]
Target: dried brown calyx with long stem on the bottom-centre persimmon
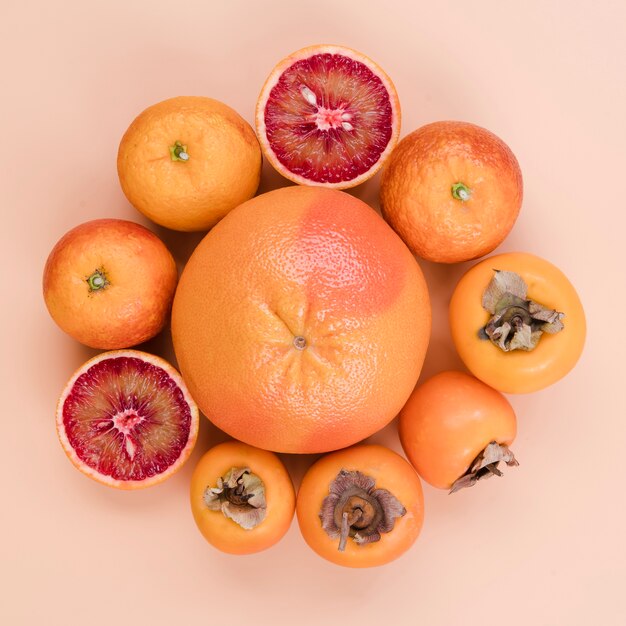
[[355, 509]]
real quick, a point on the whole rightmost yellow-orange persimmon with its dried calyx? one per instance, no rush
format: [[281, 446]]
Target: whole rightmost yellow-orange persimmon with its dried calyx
[[517, 322]]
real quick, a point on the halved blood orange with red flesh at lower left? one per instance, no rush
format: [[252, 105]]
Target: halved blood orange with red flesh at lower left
[[126, 419]]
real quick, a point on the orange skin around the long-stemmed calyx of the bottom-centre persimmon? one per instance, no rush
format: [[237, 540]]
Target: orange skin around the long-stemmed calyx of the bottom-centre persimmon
[[390, 471]]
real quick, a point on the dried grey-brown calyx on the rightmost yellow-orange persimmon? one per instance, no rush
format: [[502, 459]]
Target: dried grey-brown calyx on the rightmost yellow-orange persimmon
[[516, 322]]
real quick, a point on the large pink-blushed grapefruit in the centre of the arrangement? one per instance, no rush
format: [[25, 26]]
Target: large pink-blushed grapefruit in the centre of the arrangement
[[301, 321]]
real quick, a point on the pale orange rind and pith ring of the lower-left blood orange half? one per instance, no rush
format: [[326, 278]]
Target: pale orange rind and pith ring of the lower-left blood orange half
[[104, 478]]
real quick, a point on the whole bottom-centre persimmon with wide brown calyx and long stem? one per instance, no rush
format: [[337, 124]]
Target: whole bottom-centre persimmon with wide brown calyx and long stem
[[361, 506]]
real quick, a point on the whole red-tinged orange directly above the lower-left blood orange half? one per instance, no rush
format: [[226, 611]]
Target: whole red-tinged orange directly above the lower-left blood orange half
[[109, 283]]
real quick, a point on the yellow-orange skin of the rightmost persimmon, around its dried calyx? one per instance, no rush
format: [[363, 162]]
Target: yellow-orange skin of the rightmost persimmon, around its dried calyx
[[517, 371]]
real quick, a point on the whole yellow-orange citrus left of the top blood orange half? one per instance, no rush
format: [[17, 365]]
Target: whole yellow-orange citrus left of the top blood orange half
[[187, 161]]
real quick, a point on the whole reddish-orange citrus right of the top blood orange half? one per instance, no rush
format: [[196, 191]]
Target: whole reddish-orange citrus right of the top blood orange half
[[452, 191]]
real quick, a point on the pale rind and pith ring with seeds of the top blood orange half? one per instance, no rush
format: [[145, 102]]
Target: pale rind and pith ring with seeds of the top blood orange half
[[273, 80]]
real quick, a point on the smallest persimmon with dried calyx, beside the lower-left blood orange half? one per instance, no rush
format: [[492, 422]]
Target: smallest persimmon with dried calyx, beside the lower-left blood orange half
[[242, 498]]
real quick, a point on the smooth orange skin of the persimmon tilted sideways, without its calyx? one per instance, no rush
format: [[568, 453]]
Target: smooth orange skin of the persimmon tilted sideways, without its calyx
[[448, 421]]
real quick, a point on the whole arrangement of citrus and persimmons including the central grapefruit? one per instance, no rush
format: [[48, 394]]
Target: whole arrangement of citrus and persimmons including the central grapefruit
[[301, 321]]
